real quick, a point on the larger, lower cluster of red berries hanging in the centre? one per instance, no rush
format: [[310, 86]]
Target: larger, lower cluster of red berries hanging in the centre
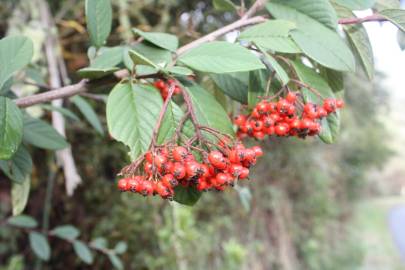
[[169, 167]]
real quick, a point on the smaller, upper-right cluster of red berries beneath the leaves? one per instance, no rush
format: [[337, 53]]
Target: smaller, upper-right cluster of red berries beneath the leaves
[[285, 117]]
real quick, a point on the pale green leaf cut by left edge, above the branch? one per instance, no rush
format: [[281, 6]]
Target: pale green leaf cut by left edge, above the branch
[[15, 53]]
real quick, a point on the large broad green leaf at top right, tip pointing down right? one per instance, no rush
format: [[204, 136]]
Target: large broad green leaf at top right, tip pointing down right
[[316, 40]]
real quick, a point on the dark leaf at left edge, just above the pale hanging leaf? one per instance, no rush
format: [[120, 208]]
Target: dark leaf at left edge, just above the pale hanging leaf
[[19, 167]]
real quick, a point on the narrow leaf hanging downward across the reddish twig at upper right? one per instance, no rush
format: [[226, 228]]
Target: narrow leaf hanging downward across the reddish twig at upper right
[[358, 38]]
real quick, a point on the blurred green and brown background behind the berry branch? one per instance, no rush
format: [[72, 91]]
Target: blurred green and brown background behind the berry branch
[[308, 205]]
